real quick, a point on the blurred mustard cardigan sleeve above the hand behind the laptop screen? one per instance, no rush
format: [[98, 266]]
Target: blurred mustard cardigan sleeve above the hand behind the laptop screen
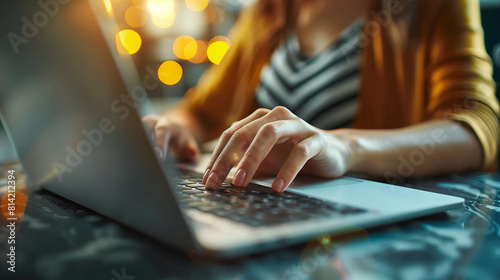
[[226, 93]]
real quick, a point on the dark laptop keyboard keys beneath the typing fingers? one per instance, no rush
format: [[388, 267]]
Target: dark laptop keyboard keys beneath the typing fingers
[[255, 205]]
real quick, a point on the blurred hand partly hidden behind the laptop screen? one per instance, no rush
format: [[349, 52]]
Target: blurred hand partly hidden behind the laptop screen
[[169, 133]]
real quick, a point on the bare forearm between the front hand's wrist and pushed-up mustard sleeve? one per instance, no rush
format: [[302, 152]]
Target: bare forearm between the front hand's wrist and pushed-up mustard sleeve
[[431, 148]]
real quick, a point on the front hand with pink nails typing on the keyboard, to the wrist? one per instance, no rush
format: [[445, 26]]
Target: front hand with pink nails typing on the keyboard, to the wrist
[[278, 142]]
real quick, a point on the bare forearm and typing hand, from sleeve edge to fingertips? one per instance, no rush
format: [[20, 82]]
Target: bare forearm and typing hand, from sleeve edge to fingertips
[[280, 143]]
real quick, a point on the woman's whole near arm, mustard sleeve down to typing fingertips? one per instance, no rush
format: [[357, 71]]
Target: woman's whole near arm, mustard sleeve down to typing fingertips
[[459, 131]]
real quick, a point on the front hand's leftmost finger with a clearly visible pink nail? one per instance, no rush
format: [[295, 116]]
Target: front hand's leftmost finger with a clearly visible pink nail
[[238, 144]]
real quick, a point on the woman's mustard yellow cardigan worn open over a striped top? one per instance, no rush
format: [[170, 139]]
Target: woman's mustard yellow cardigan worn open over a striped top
[[421, 60]]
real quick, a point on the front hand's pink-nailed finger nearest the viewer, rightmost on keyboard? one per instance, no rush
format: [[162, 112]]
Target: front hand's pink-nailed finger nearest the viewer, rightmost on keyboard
[[298, 157]]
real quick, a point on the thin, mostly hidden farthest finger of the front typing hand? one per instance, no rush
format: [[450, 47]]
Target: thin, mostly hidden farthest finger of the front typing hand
[[226, 136]]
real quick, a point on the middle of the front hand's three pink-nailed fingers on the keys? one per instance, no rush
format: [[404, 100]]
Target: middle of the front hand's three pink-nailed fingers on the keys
[[268, 136]]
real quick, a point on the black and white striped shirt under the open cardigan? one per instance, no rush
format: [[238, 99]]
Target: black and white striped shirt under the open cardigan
[[322, 90]]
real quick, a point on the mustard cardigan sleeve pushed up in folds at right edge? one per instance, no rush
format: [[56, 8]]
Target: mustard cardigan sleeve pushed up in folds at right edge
[[460, 74]]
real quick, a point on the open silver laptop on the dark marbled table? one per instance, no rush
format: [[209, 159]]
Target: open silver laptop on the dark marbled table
[[71, 104]]
